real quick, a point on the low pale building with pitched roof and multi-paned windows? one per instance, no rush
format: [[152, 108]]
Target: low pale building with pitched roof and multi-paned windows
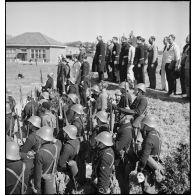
[[34, 46]]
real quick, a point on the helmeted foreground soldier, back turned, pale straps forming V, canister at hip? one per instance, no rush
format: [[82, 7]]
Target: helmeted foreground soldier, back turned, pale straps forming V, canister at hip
[[47, 156]]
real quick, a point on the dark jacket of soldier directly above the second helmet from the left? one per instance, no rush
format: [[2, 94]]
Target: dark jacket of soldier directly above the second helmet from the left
[[30, 108]]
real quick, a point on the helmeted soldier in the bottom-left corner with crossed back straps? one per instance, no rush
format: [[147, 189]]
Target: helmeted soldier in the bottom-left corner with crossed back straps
[[15, 167]]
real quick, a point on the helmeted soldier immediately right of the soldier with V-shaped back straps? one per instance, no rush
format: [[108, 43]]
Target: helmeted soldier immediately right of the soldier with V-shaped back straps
[[71, 147]]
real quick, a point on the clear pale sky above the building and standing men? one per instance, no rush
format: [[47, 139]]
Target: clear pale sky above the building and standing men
[[83, 21]]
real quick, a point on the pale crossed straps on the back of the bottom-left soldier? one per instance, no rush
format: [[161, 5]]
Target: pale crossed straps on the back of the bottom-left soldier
[[18, 179]]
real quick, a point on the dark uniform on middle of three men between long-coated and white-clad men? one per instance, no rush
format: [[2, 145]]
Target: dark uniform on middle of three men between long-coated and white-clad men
[[115, 67]]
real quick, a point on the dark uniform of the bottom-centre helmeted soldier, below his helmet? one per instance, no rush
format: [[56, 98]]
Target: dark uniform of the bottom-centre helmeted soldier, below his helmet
[[104, 169]]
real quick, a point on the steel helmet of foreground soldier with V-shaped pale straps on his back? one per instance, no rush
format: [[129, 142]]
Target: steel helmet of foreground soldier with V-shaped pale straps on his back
[[46, 133]]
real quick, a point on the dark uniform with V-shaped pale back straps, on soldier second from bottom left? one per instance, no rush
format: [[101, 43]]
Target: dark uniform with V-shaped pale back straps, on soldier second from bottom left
[[43, 160]]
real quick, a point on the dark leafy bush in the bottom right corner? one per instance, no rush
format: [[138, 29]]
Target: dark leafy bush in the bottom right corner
[[177, 171]]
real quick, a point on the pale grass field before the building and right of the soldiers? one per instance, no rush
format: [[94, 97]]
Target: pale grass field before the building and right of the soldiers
[[172, 114]]
